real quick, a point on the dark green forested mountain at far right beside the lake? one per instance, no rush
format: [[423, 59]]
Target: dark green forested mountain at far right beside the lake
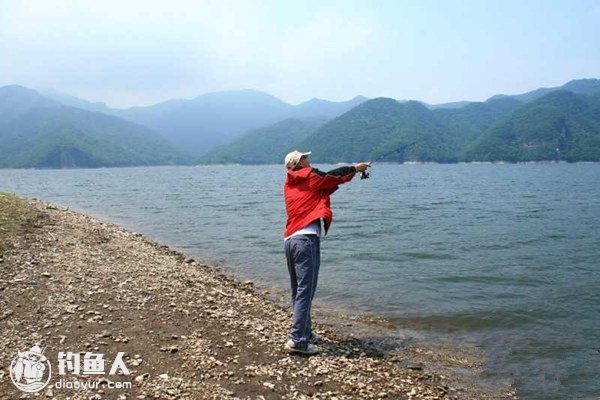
[[561, 125]]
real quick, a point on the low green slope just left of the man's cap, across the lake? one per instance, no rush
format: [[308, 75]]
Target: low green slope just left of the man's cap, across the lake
[[267, 145]]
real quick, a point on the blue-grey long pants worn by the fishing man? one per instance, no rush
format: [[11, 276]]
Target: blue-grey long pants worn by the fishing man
[[303, 253]]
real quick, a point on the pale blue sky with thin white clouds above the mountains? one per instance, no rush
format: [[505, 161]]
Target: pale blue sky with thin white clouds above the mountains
[[128, 52]]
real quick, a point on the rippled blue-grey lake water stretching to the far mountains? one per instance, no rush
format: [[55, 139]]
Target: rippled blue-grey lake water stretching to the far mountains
[[504, 255]]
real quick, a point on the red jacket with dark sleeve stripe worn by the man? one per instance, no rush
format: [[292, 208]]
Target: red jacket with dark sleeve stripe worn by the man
[[307, 192]]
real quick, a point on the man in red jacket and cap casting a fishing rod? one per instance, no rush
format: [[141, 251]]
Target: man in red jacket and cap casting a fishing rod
[[306, 193]]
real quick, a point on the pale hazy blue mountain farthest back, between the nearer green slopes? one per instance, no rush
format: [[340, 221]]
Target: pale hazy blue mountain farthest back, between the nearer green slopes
[[202, 123]]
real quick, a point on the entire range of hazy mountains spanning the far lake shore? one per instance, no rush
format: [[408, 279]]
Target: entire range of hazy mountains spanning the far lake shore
[[254, 127]]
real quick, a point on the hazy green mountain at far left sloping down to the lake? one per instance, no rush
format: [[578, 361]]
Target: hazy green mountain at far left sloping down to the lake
[[40, 133]]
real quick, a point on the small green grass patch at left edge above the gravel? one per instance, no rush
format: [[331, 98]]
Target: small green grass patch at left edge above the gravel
[[16, 216]]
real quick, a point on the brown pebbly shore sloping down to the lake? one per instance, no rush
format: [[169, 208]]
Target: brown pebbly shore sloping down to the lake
[[72, 283]]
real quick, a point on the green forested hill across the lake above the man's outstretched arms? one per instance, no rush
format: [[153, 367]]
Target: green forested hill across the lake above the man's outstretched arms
[[387, 130]]
